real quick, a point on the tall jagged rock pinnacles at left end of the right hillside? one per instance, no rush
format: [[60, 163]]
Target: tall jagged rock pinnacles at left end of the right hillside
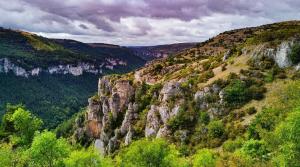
[[105, 111]]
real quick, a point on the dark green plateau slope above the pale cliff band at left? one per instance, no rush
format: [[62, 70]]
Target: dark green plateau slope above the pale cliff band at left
[[30, 51]]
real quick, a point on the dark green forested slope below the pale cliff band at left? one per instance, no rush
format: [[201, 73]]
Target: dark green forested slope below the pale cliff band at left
[[54, 98]]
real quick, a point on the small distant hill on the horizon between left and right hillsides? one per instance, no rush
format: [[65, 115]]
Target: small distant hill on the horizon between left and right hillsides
[[160, 51]]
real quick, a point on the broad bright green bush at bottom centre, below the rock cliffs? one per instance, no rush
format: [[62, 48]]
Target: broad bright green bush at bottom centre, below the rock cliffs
[[150, 153]]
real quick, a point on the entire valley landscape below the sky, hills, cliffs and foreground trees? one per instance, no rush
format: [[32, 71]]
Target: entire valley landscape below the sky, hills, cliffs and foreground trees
[[232, 100]]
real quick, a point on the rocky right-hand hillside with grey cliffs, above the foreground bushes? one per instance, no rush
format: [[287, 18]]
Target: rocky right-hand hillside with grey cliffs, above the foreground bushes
[[166, 98]]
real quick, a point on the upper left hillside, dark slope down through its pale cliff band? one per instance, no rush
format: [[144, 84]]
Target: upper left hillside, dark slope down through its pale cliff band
[[25, 54]]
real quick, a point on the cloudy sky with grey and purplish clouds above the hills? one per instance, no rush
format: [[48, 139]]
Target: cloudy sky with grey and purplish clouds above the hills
[[141, 22]]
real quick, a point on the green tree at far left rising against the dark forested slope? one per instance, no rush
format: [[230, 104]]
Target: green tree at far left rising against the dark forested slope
[[25, 125]]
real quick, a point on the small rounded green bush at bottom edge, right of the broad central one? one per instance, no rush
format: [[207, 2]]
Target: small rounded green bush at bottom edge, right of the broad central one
[[204, 158]]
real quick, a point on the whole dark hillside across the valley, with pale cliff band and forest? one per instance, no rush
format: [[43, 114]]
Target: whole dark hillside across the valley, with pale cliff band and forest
[[54, 77]]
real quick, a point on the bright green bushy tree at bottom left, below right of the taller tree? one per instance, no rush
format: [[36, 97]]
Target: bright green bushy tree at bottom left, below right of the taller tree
[[48, 151]]
